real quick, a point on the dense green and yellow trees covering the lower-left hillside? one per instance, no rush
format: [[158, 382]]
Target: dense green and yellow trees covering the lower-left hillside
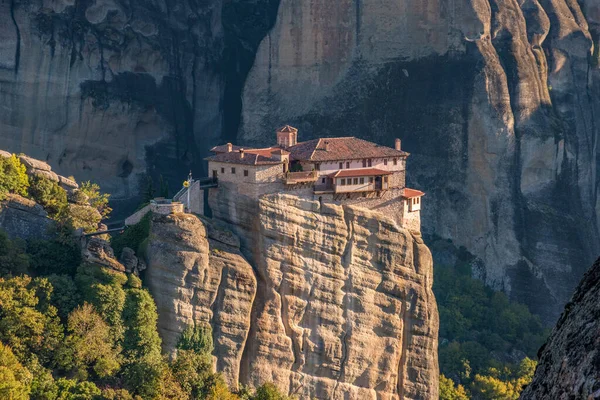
[[87, 332]]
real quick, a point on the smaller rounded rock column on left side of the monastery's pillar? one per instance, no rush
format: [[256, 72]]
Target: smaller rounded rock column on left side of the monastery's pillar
[[197, 275]]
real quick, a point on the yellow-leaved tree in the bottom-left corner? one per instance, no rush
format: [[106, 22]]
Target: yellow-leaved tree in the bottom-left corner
[[15, 379]]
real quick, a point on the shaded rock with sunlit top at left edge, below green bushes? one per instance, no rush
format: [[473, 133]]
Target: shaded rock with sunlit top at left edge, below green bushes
[[24, 218]]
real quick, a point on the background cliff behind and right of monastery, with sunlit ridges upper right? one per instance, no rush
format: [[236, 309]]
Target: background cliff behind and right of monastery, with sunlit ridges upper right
[[496, 100]]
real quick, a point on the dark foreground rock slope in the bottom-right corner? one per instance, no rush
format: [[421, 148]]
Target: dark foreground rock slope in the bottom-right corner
[[569, 366]]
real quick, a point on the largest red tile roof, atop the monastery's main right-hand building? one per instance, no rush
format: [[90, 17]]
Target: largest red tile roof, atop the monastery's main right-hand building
[[344, 148]]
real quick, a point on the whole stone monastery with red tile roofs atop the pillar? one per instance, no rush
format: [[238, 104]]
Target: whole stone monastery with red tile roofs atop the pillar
[[342, 170]]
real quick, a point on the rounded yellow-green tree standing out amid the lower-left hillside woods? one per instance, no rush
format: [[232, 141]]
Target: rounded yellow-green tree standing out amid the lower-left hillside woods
[[88, 346]]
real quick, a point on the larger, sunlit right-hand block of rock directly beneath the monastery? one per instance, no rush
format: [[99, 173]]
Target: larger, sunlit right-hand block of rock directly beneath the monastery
[[344, 308]]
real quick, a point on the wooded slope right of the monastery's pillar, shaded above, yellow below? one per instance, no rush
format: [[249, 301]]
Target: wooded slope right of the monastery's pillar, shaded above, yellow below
[[487, 342]]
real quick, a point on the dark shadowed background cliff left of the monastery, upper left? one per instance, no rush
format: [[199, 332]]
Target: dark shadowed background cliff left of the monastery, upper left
[[111, 90]]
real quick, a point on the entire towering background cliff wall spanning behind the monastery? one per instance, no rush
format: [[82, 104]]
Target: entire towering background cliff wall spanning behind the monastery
[[496, 100]]
